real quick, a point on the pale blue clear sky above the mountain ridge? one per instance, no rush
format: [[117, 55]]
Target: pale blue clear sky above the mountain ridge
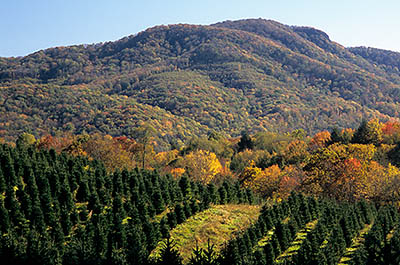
[[27, 26]]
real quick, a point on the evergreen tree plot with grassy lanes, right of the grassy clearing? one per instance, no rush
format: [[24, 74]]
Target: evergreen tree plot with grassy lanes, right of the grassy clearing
[[336, 227]]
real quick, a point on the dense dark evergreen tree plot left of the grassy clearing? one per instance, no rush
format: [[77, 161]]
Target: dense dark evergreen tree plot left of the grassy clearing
[[58, 209]]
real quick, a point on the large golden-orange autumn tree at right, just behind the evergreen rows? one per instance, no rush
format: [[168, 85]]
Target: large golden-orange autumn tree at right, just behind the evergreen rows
[[348, 172]]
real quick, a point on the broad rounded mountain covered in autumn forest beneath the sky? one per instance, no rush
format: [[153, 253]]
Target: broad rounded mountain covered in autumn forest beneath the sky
[[187, 80]]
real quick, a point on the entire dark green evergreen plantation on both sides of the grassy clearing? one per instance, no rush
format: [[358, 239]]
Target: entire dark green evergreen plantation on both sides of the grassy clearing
[[74, 212]]
